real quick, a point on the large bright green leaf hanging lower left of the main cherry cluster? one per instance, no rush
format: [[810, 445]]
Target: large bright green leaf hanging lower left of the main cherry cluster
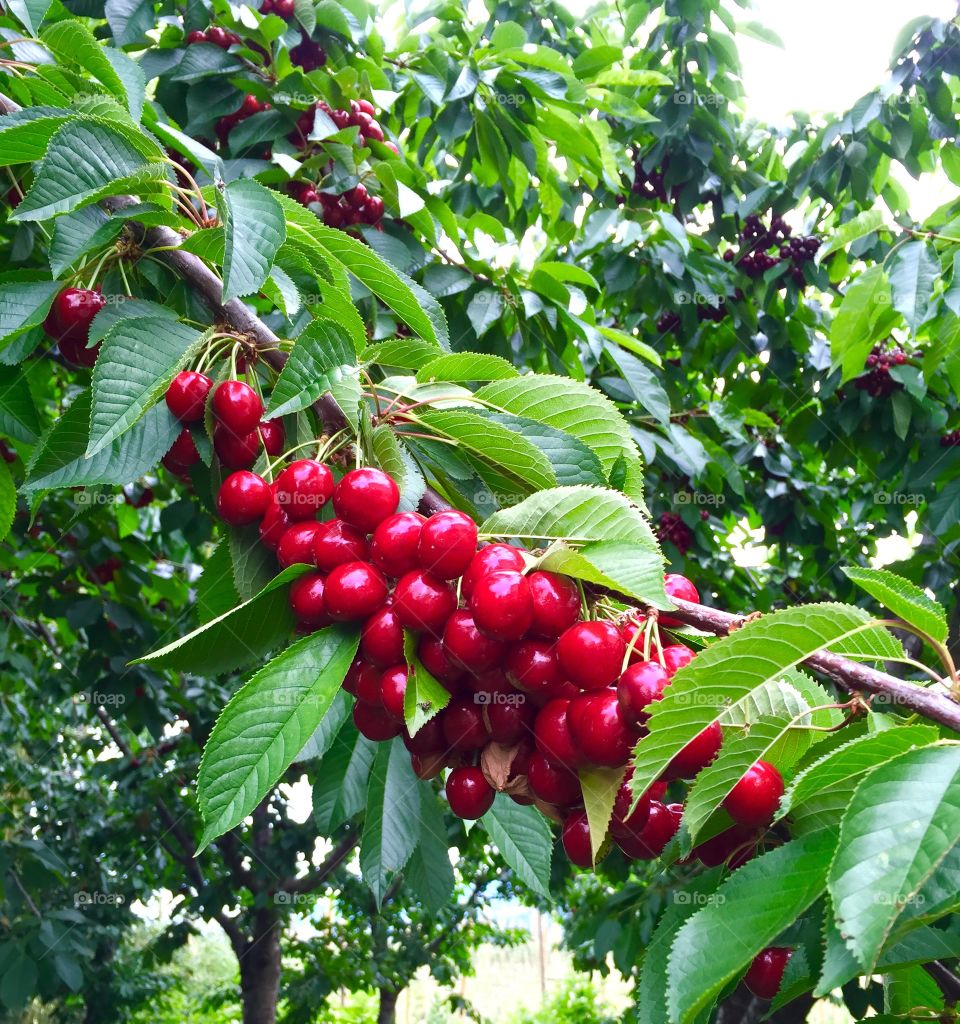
[[267, 724]]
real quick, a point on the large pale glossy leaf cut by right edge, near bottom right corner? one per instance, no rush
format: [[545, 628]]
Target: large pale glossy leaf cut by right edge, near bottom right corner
[[901, 826]]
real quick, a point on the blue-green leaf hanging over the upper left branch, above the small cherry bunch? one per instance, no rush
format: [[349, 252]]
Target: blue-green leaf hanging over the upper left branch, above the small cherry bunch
[[255, 231]]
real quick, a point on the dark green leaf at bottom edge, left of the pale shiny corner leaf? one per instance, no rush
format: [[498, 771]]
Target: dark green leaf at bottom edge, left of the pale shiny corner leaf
[[723, 937]]
